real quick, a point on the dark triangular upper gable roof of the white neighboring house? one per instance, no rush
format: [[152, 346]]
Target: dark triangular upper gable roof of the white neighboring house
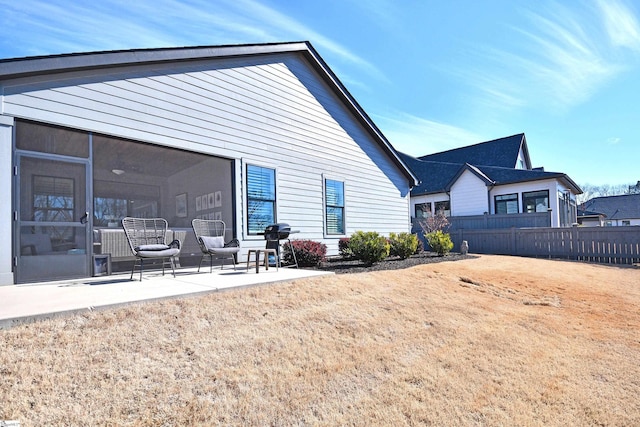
[[501, 152]]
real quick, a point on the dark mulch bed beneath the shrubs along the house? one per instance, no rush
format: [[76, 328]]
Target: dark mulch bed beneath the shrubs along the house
[[341, 266]]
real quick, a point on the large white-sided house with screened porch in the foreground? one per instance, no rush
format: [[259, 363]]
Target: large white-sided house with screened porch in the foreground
[[251, 134]]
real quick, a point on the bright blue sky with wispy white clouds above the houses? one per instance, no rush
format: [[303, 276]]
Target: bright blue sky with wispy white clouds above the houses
[[433, 75]]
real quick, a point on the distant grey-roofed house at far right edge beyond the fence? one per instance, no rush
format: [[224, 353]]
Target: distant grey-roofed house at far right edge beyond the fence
[[617, 210]]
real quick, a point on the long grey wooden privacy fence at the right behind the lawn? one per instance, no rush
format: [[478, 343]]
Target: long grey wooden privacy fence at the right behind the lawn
[[608, 245]]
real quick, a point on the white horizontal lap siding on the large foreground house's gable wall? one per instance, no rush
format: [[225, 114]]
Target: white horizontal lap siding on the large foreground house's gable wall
[[273, 111]]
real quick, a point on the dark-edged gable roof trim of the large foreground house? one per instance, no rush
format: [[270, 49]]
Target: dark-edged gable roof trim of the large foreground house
[[52, 64]]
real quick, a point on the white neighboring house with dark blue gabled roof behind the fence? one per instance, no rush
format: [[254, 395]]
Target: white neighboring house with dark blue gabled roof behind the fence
[[493, 177]]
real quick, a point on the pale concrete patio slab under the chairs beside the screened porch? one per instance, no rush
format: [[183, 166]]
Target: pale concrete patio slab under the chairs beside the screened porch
[[34, 301]]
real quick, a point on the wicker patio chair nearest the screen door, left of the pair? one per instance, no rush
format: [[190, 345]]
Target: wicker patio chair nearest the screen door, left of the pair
[[147, 239]]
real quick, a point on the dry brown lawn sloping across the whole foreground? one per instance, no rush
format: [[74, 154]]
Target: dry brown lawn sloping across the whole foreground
[[486, 341]]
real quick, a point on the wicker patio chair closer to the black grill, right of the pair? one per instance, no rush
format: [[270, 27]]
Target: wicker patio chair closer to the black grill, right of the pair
[[210, 237]]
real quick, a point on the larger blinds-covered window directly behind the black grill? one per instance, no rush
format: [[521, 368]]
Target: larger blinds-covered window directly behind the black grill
[[261, 198]]
